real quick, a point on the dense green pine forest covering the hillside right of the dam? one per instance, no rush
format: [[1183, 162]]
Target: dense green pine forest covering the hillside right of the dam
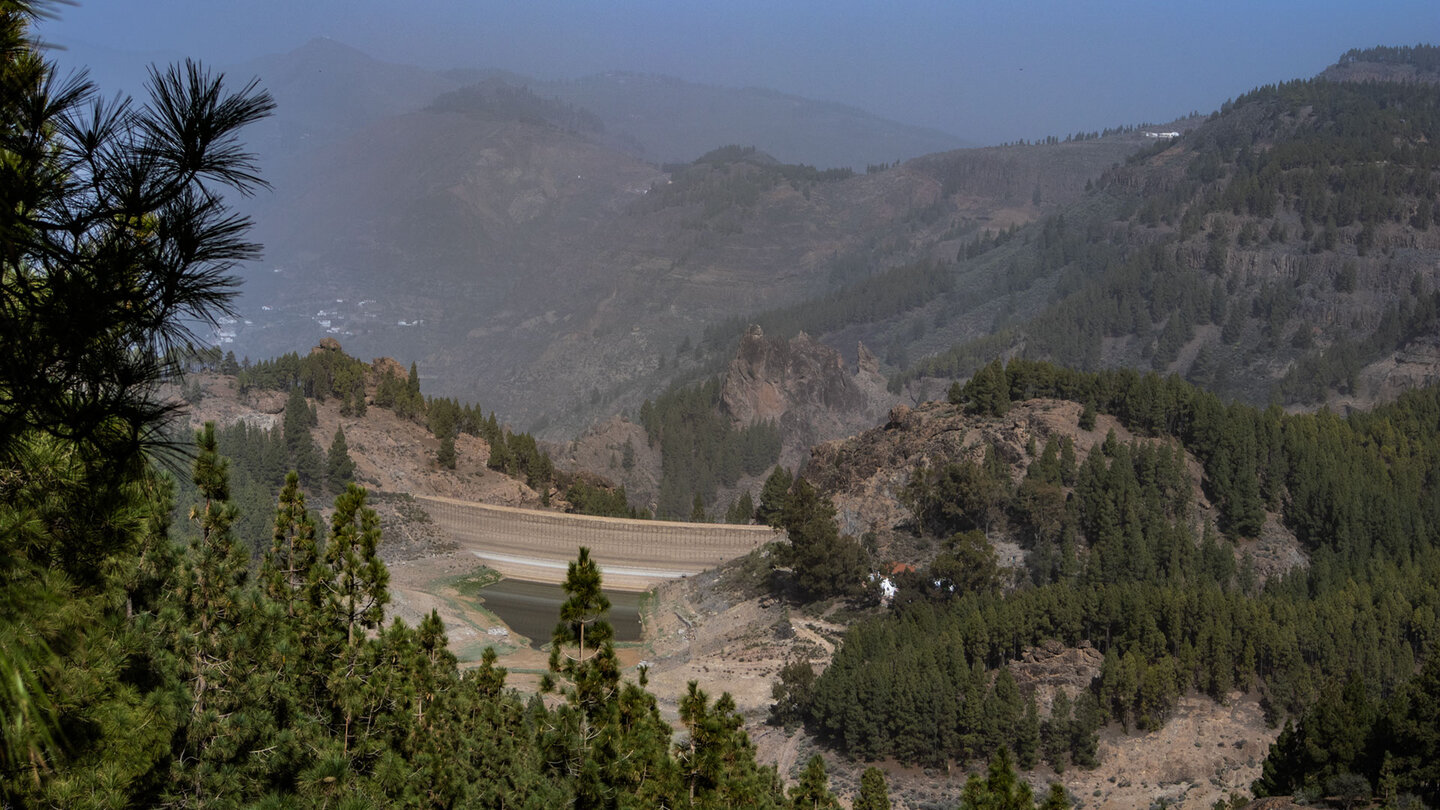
[[1117, 561]]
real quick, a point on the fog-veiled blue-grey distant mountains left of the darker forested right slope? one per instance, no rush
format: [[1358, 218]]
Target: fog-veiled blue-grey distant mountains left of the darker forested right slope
[[498, 244]]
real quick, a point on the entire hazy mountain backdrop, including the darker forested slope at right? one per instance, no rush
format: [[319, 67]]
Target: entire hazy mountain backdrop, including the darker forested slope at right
[[529, 250]]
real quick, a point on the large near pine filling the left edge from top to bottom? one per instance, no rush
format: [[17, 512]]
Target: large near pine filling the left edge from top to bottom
[[116, 249]]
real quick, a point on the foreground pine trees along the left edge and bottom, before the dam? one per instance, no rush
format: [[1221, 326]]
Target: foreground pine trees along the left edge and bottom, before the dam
[[156, 665]]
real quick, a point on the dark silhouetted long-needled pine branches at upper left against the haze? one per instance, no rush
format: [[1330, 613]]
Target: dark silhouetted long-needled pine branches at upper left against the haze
[[106, 282]]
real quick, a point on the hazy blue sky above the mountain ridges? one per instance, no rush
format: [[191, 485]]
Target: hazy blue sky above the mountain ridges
[[990, 73]]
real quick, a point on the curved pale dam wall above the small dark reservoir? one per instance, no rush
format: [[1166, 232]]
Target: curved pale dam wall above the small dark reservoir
[[634, 556]]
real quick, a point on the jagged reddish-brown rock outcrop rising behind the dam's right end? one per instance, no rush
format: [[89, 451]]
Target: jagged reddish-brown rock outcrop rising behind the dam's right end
[[806, 388]]
